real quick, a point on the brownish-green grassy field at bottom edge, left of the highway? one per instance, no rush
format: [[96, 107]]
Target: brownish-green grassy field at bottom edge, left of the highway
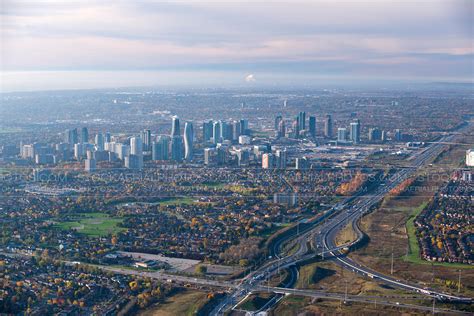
[[183, 303]]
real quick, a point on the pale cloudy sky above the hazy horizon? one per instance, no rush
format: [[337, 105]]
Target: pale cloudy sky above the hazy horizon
[[47, 45]]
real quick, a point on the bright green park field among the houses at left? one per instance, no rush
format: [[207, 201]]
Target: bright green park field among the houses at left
[[93, 224]]
